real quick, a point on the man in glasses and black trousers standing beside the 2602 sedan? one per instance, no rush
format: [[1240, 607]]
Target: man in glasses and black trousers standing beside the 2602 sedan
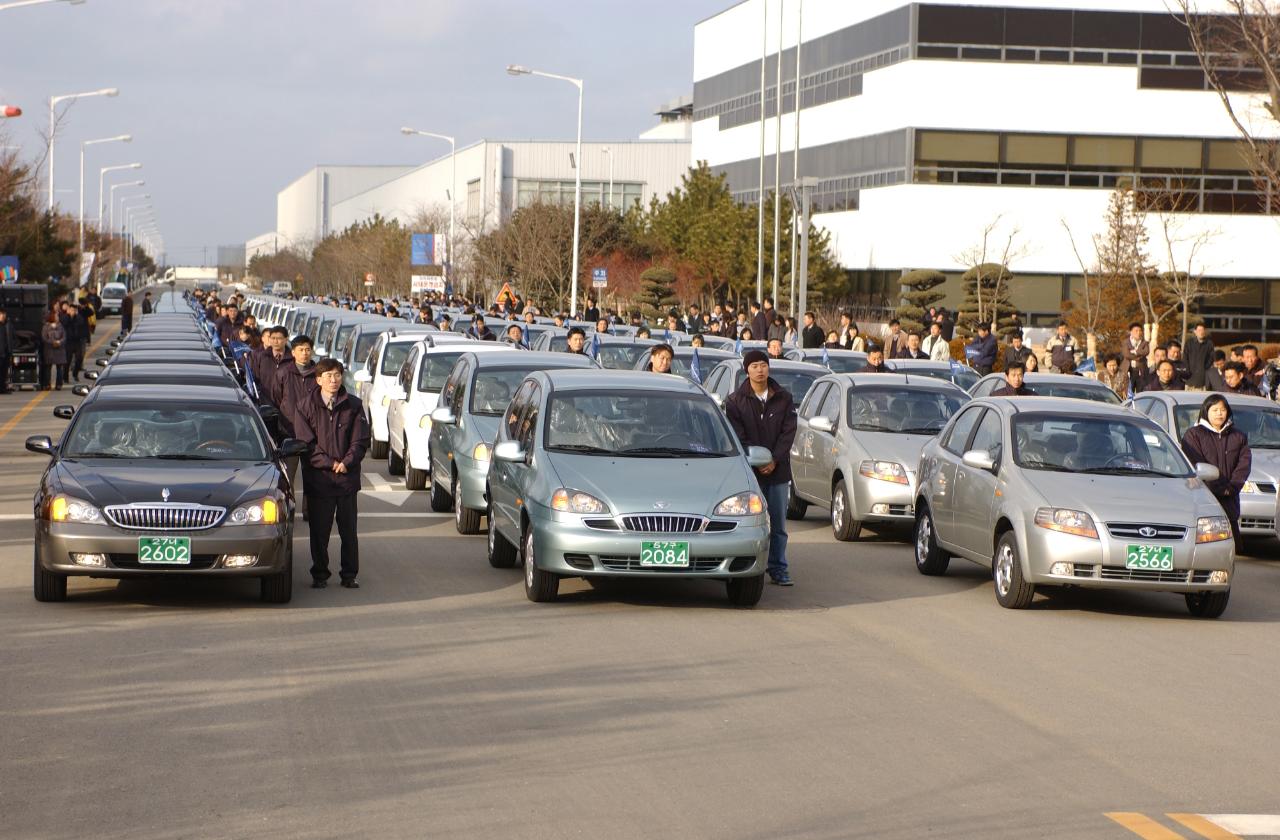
[[333, 423]]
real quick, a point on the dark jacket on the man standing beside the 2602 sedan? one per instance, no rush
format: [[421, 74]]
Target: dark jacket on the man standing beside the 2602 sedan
[[339, 435]]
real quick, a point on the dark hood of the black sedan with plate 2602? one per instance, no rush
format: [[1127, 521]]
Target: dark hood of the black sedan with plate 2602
[[220, 483]]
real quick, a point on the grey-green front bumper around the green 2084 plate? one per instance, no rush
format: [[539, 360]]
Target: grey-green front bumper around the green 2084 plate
[[565, 546]]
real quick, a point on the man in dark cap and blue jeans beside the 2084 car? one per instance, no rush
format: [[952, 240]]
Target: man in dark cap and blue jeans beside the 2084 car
[[764, 414]]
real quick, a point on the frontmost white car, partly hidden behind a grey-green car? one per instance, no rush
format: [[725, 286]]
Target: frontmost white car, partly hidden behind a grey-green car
[[418, 391]]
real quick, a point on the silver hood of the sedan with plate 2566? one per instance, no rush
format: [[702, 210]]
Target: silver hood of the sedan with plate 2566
[[1112, 499]]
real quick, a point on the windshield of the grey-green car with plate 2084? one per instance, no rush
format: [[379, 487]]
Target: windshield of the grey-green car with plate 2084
[[638, 424]]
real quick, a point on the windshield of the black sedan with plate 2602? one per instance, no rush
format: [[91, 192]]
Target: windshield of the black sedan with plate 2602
[[179, 433]]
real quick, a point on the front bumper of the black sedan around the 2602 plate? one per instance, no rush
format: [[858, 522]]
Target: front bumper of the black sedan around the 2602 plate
[[56, 544]]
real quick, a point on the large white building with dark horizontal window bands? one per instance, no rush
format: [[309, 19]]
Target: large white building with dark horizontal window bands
[[926, 122]]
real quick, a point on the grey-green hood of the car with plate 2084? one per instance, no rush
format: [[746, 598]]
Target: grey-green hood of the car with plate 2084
[[634, 486]]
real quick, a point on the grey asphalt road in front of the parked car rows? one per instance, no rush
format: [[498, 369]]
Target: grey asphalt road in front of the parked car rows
[[866, 702]]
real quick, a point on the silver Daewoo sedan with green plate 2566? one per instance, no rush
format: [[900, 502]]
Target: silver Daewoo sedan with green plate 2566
[[1054, 492]]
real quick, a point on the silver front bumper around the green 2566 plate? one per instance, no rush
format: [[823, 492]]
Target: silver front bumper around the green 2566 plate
[[1101, 563]]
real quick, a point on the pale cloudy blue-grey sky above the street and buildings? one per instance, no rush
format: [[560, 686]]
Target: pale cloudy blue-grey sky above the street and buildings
[[231, 101]]
